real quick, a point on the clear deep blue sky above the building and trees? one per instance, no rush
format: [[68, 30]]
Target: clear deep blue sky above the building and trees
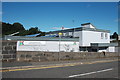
[[50, 16]]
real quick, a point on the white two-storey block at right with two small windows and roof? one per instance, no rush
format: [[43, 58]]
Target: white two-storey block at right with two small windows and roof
[[93, 39]]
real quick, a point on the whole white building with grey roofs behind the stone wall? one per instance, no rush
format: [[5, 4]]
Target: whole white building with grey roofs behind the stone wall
[[86, 38]]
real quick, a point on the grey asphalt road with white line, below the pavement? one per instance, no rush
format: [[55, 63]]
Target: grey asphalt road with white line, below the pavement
[[97, 70]]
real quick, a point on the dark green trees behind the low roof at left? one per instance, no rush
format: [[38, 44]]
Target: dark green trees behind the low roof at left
[[18, 27]]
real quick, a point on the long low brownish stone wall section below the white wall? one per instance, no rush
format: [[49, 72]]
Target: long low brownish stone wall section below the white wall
[[54, 56]]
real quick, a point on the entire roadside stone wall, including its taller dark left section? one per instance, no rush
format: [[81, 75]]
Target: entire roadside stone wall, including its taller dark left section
[[9, 53]]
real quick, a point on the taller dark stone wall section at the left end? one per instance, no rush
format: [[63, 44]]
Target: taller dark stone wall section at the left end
[[9, 50]]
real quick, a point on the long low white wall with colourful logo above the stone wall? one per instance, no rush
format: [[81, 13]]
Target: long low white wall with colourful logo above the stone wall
[[52, 46]]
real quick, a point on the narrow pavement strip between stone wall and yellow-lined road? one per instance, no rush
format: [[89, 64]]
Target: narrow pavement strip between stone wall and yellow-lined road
[[25, 64]]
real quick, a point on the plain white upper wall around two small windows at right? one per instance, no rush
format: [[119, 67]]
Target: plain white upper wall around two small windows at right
[[88, 37]]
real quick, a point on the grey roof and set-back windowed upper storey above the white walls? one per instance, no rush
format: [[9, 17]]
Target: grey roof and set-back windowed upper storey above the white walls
[[75, 32]]
